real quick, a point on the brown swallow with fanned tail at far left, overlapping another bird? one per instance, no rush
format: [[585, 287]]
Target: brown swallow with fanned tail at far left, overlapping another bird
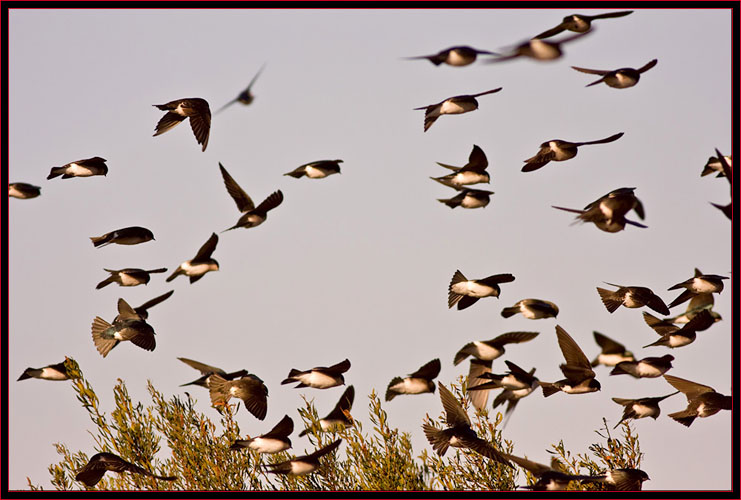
[[127, 326]]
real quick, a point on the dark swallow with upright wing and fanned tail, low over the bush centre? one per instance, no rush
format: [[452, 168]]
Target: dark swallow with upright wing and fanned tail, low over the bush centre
[[459, 433]]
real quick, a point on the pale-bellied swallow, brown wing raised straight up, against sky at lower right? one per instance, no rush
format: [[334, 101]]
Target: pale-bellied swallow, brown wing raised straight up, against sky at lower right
[[577, 369]]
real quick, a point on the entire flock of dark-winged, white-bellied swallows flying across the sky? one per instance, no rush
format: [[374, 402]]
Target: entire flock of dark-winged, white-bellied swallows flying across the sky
[[608, 213]]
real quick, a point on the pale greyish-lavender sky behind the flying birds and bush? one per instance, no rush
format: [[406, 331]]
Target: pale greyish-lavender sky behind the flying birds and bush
[[357, 265]]
